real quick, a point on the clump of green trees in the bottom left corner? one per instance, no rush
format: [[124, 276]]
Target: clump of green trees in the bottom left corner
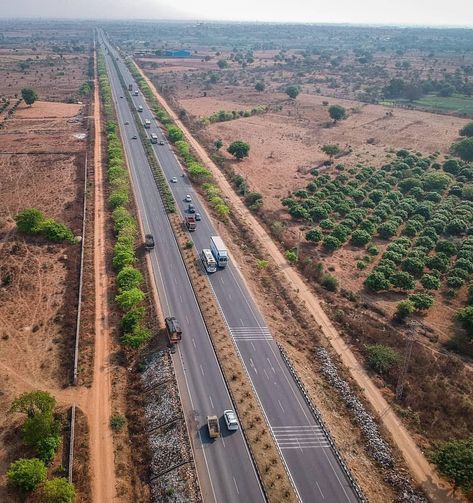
[[41, 433]]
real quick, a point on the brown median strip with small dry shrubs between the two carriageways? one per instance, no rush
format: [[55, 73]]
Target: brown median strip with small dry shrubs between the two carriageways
[[266, 456]]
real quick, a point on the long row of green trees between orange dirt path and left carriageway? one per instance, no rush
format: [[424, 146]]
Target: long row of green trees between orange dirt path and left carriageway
[[129, 279]]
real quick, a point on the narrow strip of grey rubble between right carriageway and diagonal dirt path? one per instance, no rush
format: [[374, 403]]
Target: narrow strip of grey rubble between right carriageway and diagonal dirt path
[[378, 448]]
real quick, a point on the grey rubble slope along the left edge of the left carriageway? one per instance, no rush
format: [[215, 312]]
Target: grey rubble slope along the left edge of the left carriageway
[[172, 471]]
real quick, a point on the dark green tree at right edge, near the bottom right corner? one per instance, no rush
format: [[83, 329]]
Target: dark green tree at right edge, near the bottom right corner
[[455, 460]]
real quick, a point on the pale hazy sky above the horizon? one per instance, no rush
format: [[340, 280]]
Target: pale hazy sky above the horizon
[[420, 12]]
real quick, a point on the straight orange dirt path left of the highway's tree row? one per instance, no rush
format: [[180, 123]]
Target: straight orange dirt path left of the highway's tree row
[[101, 443]]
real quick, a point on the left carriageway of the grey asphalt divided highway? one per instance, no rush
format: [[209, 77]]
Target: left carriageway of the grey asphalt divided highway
[[225, 469]]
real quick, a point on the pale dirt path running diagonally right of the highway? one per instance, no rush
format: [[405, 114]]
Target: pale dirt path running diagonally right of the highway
[[421, 470]]
